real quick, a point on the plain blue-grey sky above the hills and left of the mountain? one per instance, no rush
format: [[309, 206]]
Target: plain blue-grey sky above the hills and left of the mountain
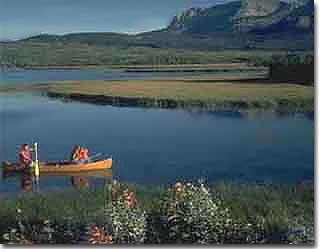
[[23, 18]]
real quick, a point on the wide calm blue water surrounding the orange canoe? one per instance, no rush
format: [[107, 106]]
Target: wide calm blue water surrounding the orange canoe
[[158, 146]]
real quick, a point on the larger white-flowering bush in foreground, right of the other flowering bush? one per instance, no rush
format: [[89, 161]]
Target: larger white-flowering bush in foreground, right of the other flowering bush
[[194, 216]]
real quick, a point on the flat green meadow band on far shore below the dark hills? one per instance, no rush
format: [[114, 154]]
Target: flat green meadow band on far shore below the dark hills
[[26, 54]]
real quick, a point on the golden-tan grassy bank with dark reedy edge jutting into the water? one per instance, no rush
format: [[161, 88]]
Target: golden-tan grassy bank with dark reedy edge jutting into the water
[[207, 94]]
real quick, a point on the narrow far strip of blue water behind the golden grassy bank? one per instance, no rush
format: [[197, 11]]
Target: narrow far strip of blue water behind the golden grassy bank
[[47, 76]]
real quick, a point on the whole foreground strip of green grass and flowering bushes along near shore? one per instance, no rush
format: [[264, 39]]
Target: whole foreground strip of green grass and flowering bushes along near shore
[[186, 213]]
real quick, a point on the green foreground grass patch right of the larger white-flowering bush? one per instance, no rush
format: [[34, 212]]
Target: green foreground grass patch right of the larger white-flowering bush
[[275, 203]]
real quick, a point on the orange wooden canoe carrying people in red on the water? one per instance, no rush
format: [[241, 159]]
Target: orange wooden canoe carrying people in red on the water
[[62, 167]]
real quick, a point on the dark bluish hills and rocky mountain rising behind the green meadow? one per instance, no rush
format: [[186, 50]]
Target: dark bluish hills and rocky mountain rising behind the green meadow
[[260, 24]]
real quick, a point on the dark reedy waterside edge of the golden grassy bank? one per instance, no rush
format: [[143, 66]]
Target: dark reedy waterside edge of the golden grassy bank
[[281, 106]]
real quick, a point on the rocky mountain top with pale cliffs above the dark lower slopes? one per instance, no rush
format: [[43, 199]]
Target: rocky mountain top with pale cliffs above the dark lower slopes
[[245, 16]]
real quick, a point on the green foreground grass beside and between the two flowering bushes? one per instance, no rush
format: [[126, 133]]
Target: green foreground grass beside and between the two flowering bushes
[[278, 206]]
